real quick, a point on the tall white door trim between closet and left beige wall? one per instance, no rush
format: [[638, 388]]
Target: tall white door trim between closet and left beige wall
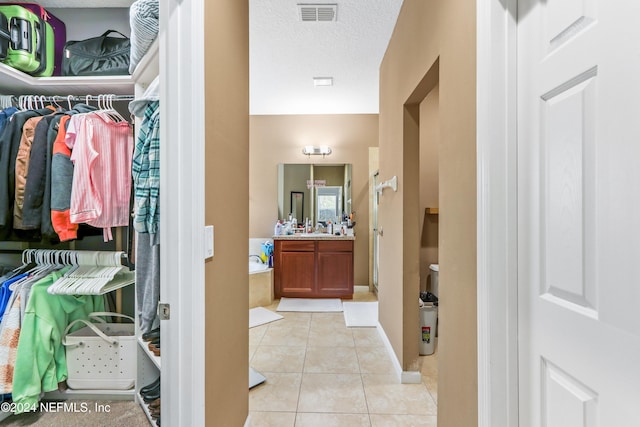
[[182, 202]]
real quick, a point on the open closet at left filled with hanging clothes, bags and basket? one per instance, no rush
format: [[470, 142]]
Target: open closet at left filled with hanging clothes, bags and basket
[[91, 262]]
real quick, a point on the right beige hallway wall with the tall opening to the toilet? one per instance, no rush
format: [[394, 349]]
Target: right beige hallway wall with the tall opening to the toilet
[[432, 35]]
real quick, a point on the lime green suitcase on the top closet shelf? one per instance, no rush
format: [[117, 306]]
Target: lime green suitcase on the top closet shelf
[[32, 42]]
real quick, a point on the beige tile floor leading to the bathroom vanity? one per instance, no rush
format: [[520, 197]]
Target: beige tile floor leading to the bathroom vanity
[[321, 373]]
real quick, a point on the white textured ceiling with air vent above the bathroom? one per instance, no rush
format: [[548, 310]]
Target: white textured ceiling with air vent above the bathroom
[[286, 53]]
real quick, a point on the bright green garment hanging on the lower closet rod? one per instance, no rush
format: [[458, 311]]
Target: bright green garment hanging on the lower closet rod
[[40, 360]]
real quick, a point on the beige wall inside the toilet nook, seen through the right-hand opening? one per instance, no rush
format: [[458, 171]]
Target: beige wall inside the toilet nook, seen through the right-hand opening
[[429, 143]]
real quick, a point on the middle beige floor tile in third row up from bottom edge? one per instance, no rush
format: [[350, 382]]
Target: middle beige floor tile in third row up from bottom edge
[[331, 360]]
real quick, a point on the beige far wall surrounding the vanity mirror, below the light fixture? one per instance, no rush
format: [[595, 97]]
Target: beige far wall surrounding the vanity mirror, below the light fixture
[[279, 139]]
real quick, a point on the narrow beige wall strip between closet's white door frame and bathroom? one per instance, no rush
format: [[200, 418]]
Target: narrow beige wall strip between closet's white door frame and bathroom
[[227, 188]]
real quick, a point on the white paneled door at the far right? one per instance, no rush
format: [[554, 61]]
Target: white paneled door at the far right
[[579, 213]]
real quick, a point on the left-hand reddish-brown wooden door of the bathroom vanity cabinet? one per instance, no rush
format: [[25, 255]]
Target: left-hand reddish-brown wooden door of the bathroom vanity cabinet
[[296, 274]]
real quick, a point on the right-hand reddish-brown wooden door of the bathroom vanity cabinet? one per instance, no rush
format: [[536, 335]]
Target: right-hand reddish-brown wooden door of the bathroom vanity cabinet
[[335, 274]]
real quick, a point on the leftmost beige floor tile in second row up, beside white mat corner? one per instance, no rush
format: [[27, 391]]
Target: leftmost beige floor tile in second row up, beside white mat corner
[[278, 394]]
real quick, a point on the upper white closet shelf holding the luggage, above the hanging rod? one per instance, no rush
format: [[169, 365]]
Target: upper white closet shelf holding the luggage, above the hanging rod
[[20, 83]]
